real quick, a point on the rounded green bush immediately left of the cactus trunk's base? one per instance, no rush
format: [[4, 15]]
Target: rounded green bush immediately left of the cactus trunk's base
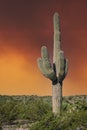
[[36, 109]]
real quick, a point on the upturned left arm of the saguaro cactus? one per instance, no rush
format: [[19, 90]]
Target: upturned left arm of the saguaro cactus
[[45, 65]]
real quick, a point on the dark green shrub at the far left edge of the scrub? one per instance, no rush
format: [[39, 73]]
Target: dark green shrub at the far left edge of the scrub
[[8, 111]]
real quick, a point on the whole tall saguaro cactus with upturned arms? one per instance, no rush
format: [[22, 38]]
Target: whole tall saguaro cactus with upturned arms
[[56, 72]]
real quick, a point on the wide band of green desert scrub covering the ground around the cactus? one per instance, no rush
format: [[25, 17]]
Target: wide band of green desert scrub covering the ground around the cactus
[[36, 112]]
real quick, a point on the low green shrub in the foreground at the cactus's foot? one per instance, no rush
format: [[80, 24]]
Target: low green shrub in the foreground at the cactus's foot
[[69, 121]]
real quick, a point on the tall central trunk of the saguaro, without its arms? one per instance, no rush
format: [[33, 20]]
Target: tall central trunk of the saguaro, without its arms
[[56, 88]]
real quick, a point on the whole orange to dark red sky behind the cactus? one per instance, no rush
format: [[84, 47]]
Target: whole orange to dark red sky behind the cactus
[[24, 27]]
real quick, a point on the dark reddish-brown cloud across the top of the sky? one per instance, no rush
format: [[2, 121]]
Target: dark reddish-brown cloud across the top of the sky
[[32, 20]]
